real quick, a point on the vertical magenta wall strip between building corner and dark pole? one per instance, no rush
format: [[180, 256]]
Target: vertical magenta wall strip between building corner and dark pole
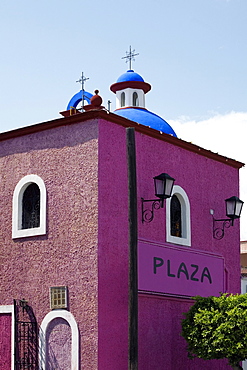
[[113, 257]]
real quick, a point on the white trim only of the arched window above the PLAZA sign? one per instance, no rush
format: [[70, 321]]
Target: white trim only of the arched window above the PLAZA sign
[[185, 212]]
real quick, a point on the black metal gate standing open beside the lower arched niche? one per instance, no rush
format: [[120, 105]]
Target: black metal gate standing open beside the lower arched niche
[[26, 336]]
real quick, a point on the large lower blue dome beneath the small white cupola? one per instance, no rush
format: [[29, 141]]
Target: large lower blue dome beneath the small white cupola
[[146, 118]]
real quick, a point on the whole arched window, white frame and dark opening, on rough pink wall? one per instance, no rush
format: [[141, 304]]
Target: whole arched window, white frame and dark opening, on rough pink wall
[[29, 207]]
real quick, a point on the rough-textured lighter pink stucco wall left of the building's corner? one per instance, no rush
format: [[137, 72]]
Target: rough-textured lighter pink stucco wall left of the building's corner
[[66, 158]]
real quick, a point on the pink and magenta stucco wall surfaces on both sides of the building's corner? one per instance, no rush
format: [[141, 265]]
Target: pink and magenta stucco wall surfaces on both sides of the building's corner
[[83, 166]]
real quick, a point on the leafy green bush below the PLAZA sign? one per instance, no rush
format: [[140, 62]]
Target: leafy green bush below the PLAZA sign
[[216, 328]]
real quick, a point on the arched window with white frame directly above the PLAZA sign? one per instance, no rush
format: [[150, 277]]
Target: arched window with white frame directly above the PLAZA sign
[[178, 229]]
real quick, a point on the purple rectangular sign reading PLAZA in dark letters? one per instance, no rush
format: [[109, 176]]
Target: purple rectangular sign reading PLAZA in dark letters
[[179, 271]]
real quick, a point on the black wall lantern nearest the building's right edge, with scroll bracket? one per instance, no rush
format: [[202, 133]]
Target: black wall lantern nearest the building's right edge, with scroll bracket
[[233, 210]]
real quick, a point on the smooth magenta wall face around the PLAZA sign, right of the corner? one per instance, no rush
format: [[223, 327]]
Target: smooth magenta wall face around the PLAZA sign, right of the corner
[[207, 183]]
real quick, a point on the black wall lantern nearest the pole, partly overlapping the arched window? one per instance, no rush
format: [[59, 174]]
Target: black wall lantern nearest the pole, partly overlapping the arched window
[[163, 185]]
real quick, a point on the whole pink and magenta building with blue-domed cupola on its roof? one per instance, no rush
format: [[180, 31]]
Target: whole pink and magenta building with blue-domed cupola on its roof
[[64, 239]]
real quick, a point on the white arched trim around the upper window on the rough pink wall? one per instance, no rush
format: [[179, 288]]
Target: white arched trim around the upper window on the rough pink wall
[[17, 231]]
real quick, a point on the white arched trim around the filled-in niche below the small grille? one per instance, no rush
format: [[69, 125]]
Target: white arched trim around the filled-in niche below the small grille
[[67, 316]]
